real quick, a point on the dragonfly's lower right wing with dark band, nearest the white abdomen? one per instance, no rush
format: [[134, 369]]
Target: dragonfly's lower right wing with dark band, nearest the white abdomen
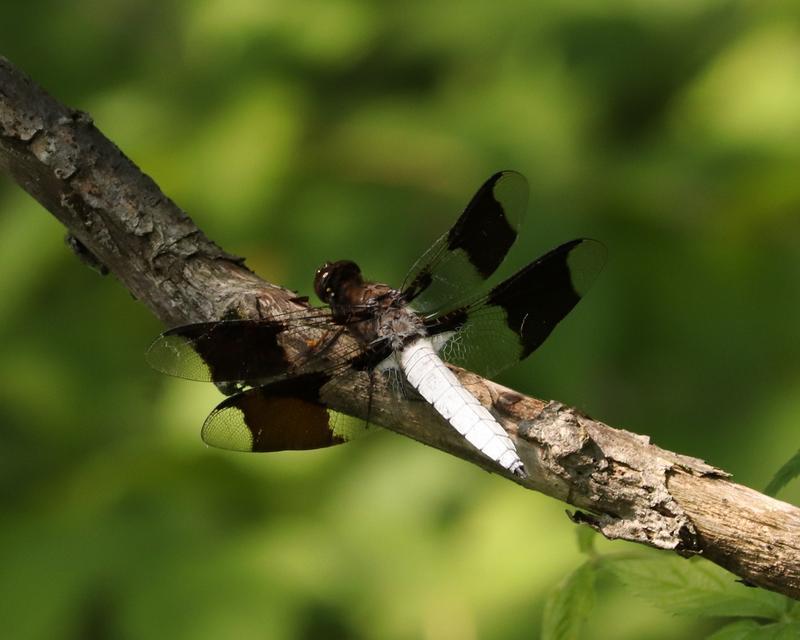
[[499, 329]]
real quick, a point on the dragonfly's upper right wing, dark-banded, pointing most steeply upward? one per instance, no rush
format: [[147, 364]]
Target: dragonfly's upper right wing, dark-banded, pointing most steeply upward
[[471, 251]]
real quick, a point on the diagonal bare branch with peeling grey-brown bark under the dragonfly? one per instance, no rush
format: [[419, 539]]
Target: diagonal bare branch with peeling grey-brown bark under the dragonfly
[[627, 488]]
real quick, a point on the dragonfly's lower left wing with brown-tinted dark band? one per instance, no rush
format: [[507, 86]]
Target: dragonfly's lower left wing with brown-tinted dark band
[[282, 416]]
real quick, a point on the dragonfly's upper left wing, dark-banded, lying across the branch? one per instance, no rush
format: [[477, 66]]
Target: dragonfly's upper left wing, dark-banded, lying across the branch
[[238, 350]]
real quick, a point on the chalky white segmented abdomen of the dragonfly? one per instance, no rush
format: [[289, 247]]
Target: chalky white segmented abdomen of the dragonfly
[[427, 373]]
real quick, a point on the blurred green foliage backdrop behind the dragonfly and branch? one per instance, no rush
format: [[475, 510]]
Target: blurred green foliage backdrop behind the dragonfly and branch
[[320, 129]]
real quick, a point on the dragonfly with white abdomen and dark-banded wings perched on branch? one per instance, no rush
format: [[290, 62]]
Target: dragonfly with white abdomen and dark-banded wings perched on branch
[[282, 365]]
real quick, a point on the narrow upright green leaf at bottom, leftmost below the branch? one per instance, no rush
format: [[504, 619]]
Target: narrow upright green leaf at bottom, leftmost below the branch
[[569, 604]]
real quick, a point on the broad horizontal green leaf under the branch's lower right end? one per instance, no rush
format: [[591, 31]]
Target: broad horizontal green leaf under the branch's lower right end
[[695, 588]]
